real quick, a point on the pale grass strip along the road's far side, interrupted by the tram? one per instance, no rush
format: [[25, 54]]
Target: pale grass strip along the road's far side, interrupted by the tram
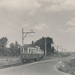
[[16, 61]]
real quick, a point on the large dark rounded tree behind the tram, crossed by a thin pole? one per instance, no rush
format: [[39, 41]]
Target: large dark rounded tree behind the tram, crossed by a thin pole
[[41, 44]]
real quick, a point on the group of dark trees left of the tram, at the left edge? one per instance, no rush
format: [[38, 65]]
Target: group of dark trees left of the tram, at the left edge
[[13, 50]]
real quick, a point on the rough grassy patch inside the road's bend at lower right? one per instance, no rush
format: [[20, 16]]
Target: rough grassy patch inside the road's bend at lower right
[[67, 66]]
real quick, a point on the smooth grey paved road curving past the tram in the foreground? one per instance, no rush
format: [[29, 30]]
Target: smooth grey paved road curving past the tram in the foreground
[[37, 68]]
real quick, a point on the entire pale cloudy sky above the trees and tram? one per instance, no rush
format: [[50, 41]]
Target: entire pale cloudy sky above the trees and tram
[[53, 18]]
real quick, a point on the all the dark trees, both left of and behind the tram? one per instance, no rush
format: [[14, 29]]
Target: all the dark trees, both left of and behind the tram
[[14, 49]]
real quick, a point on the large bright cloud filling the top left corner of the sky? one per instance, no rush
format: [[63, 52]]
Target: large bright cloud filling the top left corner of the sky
[[27, 5]]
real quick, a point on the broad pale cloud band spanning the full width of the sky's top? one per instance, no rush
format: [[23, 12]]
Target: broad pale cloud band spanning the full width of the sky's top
[[32, 5]]
